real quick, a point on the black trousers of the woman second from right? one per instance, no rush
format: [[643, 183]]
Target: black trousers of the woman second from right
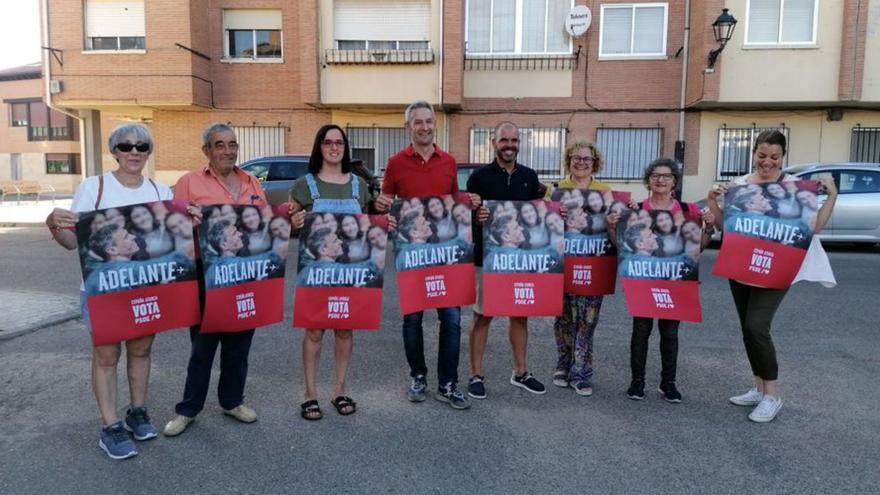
[[638, 347]]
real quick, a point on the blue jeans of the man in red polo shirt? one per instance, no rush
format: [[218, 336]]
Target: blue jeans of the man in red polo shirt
[[449, 347]]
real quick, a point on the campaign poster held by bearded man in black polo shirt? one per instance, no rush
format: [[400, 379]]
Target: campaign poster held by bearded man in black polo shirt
[[522, 259]]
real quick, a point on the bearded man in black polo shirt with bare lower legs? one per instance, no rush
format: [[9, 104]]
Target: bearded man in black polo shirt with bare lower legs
[[503, 180]]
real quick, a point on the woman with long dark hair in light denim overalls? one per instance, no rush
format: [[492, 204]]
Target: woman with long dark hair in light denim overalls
[[343, 193]]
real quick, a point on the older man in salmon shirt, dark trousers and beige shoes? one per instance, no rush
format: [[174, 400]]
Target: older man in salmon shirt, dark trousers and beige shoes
[[220, 182]]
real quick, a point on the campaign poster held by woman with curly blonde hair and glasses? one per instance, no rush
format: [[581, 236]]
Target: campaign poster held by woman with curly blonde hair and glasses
[[590, 257]]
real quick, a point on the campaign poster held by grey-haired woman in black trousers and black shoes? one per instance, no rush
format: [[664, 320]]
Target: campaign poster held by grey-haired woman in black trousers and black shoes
[[658, 264]]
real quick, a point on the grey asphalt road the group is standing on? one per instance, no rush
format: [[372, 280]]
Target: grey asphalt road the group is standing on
[[825, 440]]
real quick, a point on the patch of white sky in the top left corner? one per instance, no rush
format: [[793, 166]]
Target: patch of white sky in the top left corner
[[19, 32]]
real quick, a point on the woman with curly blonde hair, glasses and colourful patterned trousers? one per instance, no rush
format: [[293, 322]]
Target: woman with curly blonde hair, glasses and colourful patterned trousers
[[580, 314]]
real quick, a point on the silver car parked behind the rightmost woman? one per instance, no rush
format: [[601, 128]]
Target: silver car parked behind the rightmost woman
[[856, 216]]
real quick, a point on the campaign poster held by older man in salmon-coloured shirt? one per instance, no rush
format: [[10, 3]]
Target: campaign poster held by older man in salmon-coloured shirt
[[244, 252]]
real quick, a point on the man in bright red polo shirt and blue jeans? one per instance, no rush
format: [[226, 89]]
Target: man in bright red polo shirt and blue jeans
[[422, 169]]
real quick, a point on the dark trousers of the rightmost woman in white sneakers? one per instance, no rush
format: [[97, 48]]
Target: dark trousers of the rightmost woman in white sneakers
[[756, 307]]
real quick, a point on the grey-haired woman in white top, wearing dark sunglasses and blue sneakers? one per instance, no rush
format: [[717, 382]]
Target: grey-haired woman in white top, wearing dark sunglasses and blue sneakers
[[131, 145]]
